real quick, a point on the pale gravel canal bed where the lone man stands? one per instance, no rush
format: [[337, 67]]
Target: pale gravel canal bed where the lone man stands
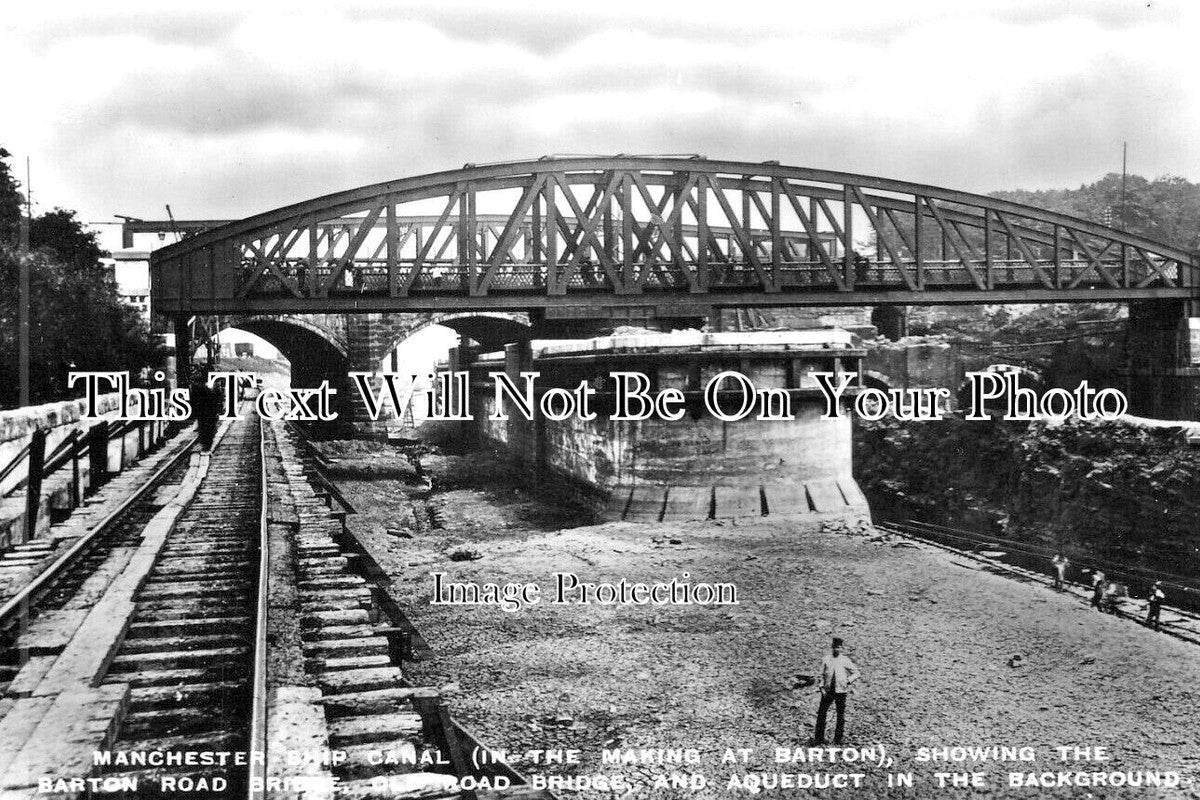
[[951, 657]]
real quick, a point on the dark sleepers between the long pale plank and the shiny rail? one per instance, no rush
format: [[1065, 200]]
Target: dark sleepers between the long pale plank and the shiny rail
[[189, 653]]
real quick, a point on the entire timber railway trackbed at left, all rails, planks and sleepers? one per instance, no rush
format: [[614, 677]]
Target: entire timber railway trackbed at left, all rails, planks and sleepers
[[218, 623]]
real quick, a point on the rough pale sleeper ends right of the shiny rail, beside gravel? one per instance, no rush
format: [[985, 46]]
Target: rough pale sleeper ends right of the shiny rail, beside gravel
[[397, 741]]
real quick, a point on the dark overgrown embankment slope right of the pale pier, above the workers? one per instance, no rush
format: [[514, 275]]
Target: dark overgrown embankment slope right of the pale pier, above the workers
[[1112, 491]]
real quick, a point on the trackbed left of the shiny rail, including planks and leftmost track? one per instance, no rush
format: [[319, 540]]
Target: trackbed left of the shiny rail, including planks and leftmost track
[[139, 642]]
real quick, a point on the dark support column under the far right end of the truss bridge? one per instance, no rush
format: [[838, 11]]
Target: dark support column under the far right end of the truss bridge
[[1163, 360]]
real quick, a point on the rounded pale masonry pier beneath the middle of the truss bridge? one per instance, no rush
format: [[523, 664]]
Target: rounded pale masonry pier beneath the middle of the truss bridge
[[698, 467]]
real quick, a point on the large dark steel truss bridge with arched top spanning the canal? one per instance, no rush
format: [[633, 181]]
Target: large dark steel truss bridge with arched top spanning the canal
[[580, 237]]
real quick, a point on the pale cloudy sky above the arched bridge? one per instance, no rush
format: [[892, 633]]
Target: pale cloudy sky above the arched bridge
[[233, 109]]
